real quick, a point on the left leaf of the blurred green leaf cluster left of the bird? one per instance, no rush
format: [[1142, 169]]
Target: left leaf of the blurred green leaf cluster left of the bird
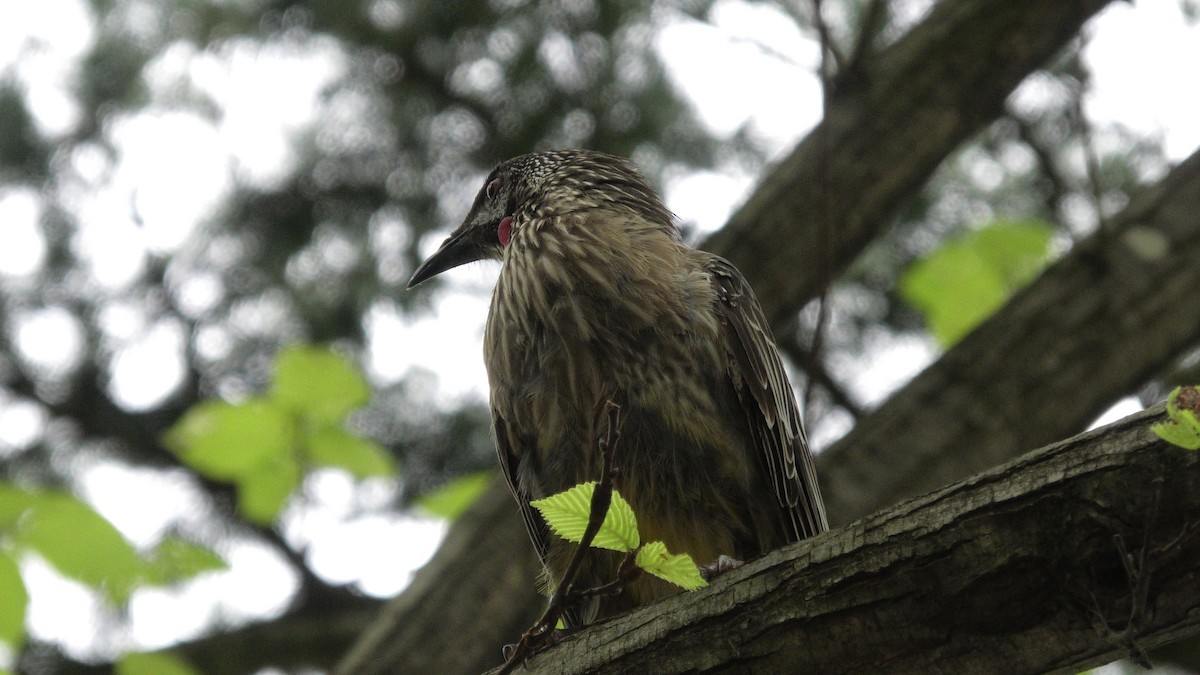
[[229, 441]]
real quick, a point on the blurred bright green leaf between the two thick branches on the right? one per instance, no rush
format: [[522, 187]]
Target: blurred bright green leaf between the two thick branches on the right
[[968, 279]]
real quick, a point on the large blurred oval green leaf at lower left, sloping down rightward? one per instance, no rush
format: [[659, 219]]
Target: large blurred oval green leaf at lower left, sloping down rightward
[[81, 545]]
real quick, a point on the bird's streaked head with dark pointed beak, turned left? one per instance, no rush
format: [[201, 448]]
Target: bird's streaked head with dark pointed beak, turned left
[[543, 186]]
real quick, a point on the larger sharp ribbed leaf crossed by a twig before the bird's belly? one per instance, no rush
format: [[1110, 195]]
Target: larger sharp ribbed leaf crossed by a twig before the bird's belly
[[567, 513]]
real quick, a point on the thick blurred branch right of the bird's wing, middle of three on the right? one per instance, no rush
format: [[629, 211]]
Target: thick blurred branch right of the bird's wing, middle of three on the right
[[1119, 308]]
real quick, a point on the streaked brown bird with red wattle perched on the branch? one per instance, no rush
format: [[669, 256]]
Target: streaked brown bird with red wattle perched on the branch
[[599, 300]]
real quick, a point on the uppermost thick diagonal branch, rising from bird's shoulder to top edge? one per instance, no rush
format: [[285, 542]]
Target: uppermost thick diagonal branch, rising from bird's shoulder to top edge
[[885, 134]]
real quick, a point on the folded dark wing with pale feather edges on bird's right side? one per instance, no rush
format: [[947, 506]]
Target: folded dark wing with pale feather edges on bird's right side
[[766, 396]]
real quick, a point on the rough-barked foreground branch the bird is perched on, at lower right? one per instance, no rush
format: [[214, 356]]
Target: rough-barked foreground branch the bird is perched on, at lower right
[[1070, 558]]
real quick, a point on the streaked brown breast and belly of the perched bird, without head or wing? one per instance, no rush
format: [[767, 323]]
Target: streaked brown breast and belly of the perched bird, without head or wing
[[601, 306]]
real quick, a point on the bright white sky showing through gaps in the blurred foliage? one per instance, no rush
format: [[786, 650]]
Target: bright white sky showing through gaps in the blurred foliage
[[175, 166]]
